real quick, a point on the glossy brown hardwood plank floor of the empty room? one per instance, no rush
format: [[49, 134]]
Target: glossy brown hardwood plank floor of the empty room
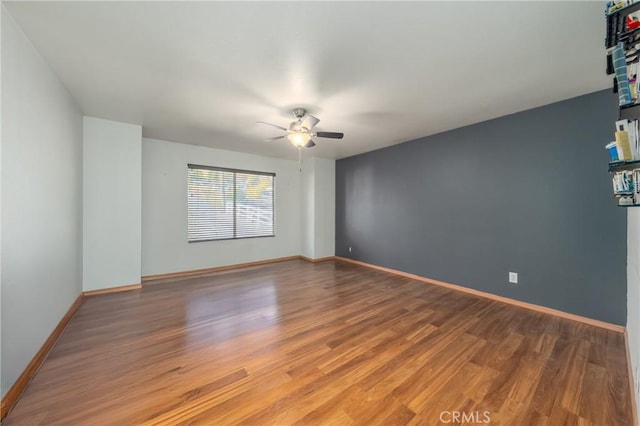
[[326, 343]]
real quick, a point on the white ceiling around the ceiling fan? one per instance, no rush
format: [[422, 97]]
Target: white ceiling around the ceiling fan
[[381, 72]]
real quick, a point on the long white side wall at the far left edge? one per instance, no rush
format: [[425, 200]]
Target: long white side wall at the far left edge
[[41, 184]]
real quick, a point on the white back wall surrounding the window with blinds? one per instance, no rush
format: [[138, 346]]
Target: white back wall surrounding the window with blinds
[[164, 209]]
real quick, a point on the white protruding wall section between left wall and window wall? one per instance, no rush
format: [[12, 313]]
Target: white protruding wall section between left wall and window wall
[[112, 197]]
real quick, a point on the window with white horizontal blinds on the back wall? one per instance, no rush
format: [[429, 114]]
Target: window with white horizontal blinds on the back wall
[[226, 204]]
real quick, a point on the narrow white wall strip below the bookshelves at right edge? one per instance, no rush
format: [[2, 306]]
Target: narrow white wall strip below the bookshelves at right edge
[[633, 290]]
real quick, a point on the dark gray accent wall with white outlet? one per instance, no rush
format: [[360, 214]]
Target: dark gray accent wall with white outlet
[[527, 193]]
